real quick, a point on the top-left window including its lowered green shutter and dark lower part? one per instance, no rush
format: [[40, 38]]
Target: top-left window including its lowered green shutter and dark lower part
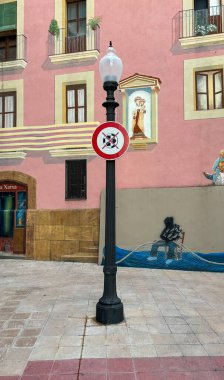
[[8, 32]]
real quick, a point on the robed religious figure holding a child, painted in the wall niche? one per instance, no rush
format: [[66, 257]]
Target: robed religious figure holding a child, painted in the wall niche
[[138, 116]]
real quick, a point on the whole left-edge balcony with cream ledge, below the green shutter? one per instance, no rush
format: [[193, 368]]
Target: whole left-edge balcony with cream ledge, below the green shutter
[[13, 52]]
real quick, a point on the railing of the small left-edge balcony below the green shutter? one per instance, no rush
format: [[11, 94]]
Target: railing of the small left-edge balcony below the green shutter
[[13, 50]]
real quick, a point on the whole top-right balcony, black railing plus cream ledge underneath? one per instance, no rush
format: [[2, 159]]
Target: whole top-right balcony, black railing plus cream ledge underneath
[[201, 27]]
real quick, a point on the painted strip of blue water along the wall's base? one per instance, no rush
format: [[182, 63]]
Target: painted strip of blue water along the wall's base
[[211, 262]]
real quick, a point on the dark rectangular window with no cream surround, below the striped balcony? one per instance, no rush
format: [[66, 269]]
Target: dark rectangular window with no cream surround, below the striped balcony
[[75, 178]]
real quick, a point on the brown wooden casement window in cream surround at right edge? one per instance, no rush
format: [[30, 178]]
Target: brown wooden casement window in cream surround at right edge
[[209, 89]]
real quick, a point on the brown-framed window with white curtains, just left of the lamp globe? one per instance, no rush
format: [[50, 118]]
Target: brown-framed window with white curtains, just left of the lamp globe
[[76, 103]]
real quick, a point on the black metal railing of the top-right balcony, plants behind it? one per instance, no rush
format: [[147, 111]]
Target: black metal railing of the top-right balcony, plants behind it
[[202, 22]]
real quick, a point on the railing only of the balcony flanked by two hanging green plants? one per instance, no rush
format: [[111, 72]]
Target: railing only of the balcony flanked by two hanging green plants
[[64, 44]]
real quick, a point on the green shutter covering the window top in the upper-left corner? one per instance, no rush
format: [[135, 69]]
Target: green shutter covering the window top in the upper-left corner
[[8, 16]]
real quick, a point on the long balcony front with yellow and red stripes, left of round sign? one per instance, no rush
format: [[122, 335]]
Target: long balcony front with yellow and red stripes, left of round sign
[[57, 140]]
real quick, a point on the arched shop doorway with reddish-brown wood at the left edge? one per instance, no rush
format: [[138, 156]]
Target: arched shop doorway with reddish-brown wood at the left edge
[[13, 205]]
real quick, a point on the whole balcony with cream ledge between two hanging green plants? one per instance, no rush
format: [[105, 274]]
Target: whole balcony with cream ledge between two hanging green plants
[[79, 48]]
